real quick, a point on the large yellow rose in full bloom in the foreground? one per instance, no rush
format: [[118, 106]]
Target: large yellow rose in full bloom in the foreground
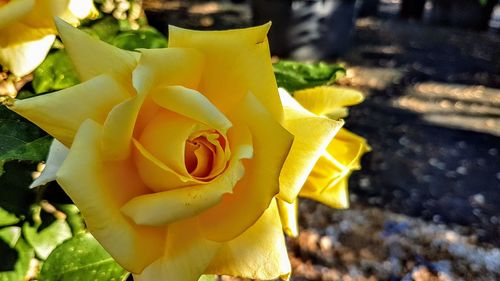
[[174, 154]]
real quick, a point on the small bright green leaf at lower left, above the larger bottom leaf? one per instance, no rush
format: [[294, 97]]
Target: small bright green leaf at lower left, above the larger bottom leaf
[[45, 240]]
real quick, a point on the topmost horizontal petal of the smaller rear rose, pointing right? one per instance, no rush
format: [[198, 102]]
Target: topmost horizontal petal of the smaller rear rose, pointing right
[[324, 100]]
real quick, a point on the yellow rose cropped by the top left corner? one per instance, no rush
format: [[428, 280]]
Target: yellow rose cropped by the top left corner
[[27, 30]]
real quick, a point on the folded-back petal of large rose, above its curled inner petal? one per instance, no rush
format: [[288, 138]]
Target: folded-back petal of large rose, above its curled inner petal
[[168, 67]]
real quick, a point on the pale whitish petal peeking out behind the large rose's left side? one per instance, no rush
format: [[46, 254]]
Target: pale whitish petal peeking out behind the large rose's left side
[[57, 154]]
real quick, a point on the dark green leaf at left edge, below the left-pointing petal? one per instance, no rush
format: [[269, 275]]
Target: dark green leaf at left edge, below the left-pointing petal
[[20, 139]]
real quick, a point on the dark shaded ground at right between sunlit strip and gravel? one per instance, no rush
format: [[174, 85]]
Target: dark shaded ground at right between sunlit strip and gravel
[[422, 170]]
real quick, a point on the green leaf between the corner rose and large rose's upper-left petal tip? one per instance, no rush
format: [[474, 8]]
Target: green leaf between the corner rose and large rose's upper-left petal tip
[[55, 73]]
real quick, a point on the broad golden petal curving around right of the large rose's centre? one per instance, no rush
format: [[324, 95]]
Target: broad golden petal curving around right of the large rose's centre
[[254, 192]]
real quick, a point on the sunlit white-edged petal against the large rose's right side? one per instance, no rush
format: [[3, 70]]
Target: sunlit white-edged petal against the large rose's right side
[[307, 147]]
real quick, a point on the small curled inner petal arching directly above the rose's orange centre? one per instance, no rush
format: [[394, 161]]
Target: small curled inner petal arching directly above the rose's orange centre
[[192, 104]]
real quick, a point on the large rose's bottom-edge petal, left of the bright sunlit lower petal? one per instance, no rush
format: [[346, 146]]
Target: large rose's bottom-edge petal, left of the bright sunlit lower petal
[[187, 254]]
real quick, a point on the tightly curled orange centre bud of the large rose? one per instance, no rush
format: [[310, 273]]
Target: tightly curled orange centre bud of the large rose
[[204, 155]]
